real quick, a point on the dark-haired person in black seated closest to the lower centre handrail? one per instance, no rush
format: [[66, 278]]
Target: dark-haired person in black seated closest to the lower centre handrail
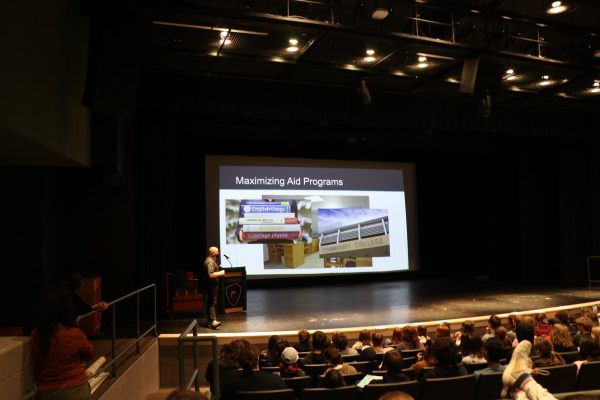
[[251, 378]]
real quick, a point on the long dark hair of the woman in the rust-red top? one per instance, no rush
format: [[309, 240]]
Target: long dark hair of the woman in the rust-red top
[[59, 309]]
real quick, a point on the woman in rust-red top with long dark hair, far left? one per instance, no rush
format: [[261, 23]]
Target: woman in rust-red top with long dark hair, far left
[[59, 351]]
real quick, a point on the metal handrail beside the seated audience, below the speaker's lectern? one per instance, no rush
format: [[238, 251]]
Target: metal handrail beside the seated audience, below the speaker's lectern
[[184, 337]]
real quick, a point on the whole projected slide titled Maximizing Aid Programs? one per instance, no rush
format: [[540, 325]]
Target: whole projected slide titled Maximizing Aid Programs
[[278, 221]]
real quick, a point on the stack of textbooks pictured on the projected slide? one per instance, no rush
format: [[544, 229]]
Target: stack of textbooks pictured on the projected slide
[[268, 220]]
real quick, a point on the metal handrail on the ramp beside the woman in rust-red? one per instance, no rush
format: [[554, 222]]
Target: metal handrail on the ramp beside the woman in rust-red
[[113, 304]]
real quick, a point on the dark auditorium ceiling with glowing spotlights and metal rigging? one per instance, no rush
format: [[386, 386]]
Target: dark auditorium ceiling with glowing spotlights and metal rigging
[[522, 52]]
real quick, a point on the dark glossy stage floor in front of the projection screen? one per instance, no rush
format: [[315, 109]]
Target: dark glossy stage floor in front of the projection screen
[[383, 304]]
